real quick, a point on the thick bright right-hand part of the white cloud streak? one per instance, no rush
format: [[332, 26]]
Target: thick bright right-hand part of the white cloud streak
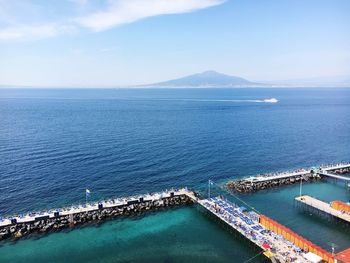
[[127, 11]]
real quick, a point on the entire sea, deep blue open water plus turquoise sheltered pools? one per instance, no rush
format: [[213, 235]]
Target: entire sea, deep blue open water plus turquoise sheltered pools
[[55, 143]]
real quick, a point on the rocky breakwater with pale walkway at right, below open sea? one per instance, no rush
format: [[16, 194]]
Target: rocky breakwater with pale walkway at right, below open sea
[[265, 181]]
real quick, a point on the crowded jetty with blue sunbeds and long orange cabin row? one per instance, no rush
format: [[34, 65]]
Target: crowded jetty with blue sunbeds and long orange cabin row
[[276, 242]]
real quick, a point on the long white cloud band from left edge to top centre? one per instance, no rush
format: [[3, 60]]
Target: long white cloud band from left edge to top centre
[[116, 13]]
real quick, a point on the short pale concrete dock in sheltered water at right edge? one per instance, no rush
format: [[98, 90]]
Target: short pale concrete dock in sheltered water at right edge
[[327, 209]]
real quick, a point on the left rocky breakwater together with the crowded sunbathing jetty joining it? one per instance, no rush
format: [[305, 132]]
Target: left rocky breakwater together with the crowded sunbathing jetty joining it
[[276, 242]]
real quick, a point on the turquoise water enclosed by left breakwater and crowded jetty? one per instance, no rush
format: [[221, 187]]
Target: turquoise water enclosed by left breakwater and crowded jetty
[[180, 235]]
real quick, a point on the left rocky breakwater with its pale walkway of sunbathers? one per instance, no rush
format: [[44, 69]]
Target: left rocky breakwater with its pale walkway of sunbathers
[[16, 227]]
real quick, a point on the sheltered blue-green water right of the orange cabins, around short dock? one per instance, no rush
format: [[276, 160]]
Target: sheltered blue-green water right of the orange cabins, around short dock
[[279, 205]]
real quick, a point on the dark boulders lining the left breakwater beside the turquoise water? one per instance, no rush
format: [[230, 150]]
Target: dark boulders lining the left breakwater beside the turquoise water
[[19, 230]]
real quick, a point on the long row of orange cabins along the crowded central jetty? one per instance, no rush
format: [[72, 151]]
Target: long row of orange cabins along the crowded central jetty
[[297, 240]]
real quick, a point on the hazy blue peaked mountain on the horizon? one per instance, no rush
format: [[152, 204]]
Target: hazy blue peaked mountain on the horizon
[[208, 79]]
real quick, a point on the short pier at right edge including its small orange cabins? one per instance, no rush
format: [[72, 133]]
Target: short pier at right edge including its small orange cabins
[[335, 209]]
